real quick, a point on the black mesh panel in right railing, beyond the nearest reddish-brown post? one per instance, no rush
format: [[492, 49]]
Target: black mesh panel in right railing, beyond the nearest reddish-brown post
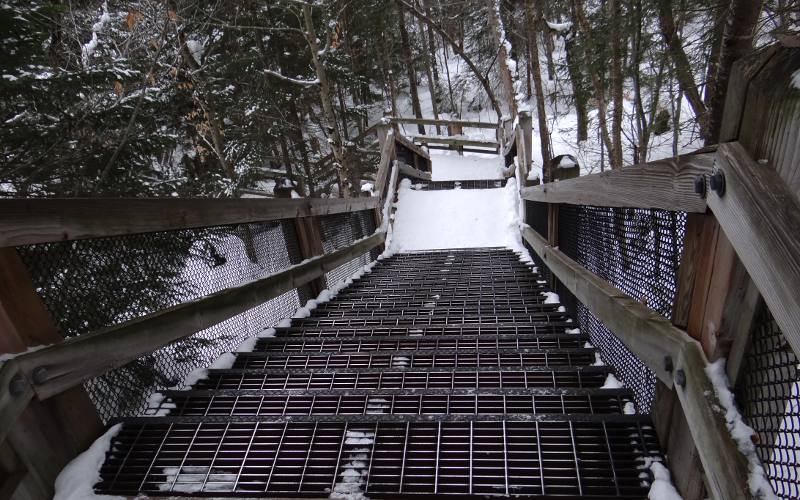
[[636, 250]]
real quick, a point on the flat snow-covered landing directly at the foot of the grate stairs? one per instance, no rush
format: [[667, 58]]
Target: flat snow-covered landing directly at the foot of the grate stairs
[[459, 218]]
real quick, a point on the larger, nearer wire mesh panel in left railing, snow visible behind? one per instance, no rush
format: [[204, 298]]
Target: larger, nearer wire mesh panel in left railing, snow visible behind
[[96, 283]]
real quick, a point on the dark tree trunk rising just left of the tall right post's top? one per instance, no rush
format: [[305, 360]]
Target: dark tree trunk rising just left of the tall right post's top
[[737, 42]]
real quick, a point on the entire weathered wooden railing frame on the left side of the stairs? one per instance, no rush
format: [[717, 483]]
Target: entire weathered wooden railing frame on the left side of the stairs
[[42, 403]]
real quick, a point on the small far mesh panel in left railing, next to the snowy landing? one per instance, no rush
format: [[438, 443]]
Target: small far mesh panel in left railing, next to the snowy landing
[[341, 230]]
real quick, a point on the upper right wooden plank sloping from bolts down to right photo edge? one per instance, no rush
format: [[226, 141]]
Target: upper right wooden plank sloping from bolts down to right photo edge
[[761, 218]]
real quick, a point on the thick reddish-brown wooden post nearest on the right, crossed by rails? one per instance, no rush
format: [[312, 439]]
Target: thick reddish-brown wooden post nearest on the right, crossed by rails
[[716, 300]]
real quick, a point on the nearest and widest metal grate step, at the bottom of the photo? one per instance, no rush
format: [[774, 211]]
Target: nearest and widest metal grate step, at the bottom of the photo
[[600, 459]]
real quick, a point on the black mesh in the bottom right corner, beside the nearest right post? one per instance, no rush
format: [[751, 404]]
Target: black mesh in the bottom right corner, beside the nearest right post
[[768, 393]]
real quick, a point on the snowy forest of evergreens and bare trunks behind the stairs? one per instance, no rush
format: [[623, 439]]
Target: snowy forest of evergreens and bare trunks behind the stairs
[[149, 98]]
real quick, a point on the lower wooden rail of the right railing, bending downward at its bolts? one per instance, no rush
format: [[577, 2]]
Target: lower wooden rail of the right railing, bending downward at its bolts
[[651, 337]]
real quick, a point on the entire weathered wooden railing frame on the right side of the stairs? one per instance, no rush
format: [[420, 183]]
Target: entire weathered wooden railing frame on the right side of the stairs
[[742, 239]]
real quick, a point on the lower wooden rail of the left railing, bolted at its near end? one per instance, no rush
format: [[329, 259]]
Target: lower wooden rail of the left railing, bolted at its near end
[[69, 363]]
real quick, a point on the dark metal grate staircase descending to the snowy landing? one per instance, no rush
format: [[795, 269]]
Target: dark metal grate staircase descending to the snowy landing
[[437, 373]]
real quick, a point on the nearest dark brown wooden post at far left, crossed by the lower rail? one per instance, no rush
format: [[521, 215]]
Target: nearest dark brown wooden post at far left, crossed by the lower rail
[[51, 433]]
